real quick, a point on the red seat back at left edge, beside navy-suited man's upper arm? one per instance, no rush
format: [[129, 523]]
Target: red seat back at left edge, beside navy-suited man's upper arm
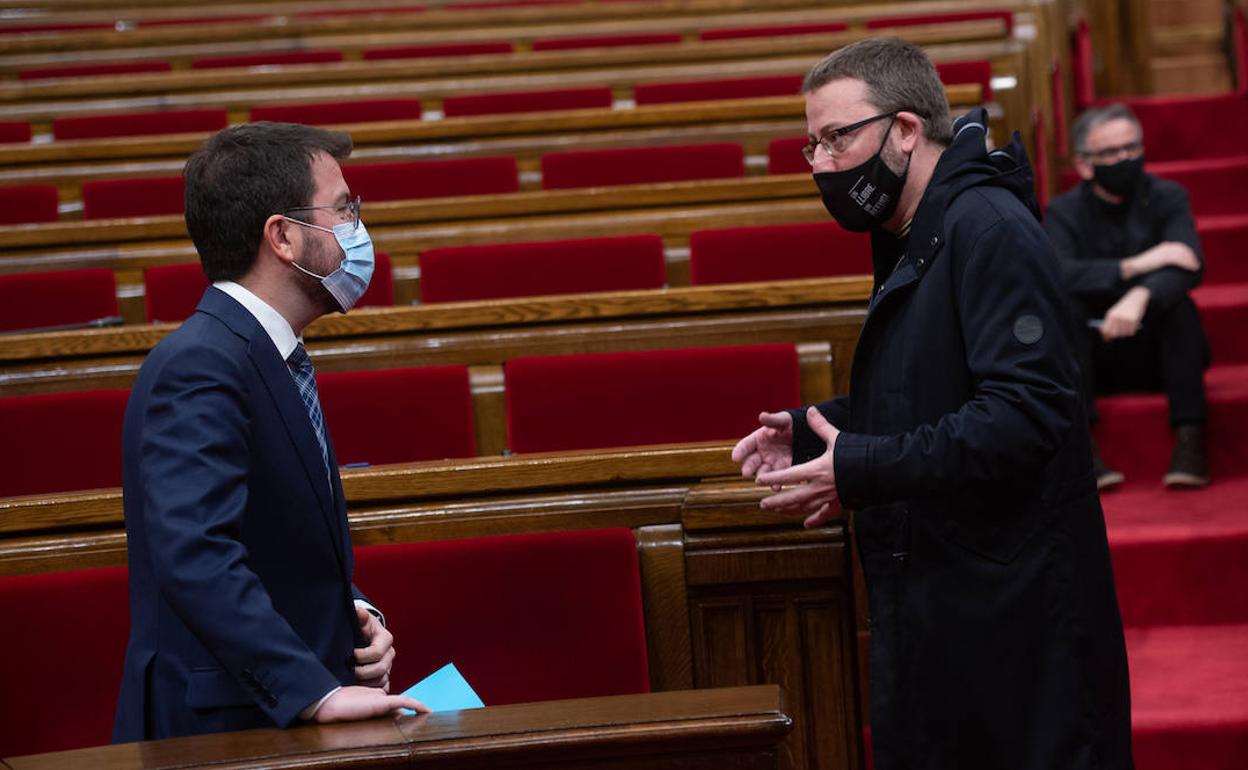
[[69, 441]]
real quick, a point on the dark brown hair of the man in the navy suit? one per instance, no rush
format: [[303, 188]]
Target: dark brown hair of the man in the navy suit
[[244, 175]]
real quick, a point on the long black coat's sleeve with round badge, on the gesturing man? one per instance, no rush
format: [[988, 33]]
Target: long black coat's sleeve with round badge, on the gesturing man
[[1025, 399]]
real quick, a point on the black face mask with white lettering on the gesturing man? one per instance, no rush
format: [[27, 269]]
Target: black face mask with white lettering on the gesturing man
[[860, 199]]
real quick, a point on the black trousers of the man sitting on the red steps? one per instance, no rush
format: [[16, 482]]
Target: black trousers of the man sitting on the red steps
[[1169, 354]]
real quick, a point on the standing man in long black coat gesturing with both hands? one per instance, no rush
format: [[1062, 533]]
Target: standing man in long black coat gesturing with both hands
[[997, 640]]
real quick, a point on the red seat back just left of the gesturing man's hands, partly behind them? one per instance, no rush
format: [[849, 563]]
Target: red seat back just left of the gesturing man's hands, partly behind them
[[650, 397]]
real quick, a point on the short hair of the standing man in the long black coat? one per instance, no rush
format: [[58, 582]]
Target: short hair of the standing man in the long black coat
[[898, 77]]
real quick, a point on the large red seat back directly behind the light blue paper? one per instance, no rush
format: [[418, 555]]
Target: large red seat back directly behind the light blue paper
[[525, 618]]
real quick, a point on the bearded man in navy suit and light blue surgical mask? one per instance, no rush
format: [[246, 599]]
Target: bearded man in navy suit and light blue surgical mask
[[243, 608]]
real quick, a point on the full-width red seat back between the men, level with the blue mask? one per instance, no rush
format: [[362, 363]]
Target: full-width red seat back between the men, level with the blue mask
[[546, 268]]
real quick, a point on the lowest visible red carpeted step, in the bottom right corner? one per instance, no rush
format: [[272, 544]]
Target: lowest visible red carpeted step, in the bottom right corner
[[1190, 697]]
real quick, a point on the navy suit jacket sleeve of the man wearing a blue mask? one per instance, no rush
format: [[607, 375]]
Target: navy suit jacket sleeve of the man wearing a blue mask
[[194, 466]]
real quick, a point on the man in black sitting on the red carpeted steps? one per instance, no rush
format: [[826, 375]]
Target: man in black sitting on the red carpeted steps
[[1130, 259]]
